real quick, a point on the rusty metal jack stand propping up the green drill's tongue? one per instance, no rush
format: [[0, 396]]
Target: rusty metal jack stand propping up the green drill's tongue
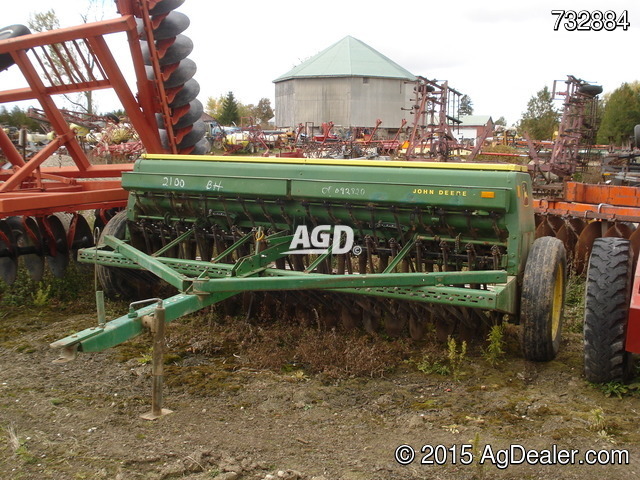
[[157, 325]]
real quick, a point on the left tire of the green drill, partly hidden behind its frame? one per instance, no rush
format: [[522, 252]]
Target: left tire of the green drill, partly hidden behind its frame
[[124, 283]]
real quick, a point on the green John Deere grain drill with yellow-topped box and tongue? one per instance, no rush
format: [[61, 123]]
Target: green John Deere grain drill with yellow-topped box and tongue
[[373, 244]]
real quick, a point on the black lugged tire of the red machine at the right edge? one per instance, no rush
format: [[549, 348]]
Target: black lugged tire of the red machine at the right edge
[[607, 299]]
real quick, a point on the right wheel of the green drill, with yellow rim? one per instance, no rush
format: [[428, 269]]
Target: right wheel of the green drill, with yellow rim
[[542, 299]]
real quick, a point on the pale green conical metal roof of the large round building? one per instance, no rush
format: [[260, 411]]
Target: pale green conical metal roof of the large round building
[[348, 58]]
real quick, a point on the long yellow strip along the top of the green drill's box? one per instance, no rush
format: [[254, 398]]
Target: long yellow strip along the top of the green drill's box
[[351, 163]]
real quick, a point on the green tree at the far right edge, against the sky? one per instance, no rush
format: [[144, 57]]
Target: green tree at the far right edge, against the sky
[[621, 114]]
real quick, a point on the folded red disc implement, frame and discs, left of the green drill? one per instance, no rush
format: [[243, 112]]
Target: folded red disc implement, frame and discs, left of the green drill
[[40, 205]]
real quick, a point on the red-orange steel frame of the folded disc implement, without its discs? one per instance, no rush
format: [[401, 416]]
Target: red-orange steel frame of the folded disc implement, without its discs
[[28, 188]]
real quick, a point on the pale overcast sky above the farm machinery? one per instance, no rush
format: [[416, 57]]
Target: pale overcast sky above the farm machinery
[[498, 52]]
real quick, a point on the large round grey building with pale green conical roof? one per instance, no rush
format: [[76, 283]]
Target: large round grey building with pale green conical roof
[[349, 84]]
